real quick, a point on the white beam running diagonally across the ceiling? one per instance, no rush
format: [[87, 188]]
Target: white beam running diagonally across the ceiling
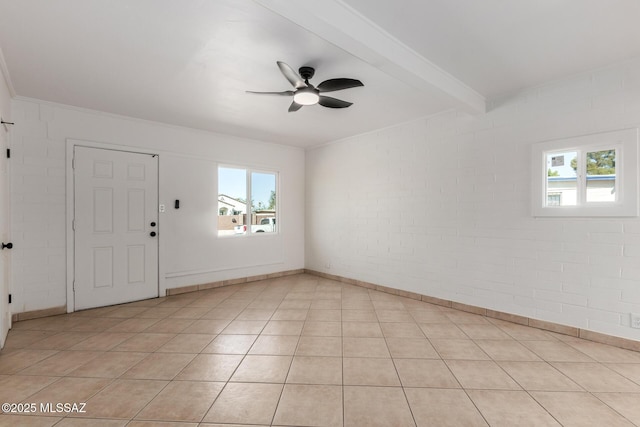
[[343, 26]]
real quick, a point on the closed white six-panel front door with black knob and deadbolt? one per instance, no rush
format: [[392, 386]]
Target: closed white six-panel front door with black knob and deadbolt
[[116, 226]]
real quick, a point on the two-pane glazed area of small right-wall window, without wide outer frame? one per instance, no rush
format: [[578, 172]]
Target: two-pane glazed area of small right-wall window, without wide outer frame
[[578, 177]]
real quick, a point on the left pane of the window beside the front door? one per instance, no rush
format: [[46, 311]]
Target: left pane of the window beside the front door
[[232, 205]]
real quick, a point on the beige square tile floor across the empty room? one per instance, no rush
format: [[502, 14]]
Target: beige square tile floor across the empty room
[[306, 351]]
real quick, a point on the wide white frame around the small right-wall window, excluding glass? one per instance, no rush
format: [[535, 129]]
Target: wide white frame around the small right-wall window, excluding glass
[[625, 142]]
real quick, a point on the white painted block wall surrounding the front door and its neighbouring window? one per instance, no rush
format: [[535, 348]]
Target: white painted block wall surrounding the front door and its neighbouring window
[[190, 252]]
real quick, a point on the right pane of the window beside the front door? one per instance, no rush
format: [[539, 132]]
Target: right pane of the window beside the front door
[[263, 202]]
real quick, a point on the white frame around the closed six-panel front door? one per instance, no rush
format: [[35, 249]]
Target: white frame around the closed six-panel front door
[[71, 144]]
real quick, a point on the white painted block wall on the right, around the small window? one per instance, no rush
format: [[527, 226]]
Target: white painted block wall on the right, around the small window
[[441, 206]]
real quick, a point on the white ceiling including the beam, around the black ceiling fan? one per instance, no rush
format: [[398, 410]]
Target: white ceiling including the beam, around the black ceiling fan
[[189, 62]]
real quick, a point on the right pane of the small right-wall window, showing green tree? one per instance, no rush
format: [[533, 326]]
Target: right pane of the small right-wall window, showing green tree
[[601, 176]]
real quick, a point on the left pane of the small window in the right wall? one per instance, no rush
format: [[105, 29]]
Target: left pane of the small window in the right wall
[[562, 181]]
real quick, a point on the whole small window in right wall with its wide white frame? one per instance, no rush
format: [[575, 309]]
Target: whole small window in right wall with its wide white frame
[[593, 175]]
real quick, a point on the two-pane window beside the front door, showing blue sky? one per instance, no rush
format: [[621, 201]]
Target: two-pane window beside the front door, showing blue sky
[[240, 215]]
